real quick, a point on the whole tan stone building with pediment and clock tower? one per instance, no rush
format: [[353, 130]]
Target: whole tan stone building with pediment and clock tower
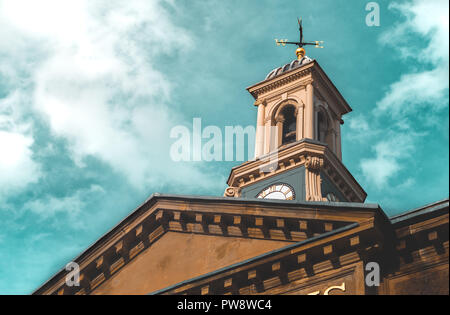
[[291, 221]]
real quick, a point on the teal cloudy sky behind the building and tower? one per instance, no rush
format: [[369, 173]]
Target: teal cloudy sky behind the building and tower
[[90, 90]]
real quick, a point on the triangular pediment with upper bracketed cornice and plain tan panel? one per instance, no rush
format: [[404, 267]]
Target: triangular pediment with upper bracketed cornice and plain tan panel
[[196, 235]]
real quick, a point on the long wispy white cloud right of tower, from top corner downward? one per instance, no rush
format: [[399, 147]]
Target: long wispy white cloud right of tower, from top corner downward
[[422, 41]]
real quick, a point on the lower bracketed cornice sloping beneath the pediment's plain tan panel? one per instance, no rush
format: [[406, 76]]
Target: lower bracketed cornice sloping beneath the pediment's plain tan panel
[[309, 260]]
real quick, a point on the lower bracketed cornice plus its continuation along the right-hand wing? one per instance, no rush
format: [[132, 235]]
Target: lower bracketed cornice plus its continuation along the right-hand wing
[[307, 263]]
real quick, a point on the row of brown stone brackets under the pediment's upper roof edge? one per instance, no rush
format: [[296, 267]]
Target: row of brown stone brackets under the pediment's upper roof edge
[[109, 258]]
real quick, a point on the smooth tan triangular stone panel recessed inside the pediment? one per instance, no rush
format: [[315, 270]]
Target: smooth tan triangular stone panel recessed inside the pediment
[[177, 257]]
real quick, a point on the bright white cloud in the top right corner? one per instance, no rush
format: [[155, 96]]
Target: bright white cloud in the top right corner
[[427, 20]]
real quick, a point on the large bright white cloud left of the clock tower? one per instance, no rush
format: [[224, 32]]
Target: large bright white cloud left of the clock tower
[[93, 77]]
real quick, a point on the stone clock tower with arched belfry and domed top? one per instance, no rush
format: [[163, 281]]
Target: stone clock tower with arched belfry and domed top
[[298, 153]]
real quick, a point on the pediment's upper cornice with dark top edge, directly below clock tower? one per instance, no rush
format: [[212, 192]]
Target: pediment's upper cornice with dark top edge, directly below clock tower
[[290, 223]]
